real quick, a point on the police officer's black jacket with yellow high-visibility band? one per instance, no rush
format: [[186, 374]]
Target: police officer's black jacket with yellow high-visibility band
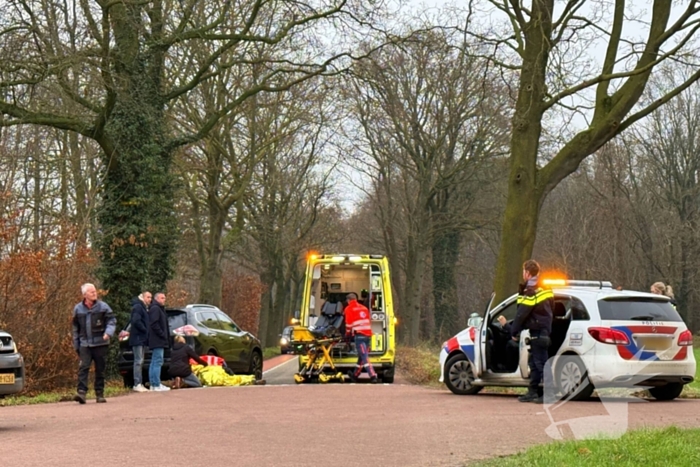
[[535, 307]]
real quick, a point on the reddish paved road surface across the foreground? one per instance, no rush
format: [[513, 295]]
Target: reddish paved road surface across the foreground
[[290, 425]]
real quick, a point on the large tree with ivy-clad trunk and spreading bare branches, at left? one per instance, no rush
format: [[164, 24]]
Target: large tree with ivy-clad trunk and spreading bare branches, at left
[[110, 71]]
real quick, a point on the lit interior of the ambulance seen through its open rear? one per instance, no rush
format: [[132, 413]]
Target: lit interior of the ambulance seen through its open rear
[[330, 285]]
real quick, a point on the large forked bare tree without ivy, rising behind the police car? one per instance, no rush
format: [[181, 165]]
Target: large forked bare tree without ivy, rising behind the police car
[[550, 48]]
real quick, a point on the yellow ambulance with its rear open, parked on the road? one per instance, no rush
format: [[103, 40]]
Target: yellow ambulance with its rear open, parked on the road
[[329, 278]]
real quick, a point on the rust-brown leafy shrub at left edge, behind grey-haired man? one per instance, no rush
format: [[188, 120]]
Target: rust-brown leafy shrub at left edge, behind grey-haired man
[[38, 289]]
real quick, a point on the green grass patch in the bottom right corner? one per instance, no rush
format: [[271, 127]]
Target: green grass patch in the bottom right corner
[[668, 446]]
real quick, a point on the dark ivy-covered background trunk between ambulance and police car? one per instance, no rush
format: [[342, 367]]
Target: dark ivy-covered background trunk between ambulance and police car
[[445, 253]]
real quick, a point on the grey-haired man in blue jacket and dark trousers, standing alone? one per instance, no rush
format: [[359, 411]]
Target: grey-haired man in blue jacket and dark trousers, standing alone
[[93, 326]]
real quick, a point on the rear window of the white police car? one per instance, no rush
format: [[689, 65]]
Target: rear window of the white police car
[[637, 309]]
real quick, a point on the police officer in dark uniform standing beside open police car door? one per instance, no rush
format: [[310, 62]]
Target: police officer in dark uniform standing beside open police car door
[[535, 305]]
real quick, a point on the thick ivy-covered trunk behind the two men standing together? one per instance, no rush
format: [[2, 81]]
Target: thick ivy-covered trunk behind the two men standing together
[[137, 220]]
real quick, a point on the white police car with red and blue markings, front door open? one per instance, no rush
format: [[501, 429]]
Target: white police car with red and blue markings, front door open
[[601, 337]]
